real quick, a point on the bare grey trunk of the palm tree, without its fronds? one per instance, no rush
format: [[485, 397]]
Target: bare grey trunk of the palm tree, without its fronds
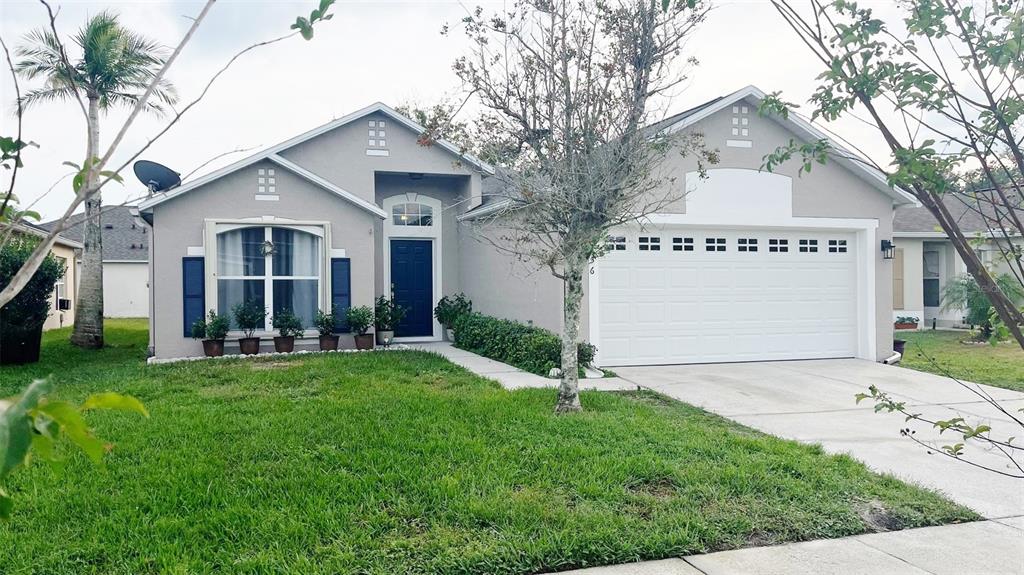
[[90, 308]]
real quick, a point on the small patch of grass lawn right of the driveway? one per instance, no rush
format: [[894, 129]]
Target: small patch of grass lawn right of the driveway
[[1001, 366]]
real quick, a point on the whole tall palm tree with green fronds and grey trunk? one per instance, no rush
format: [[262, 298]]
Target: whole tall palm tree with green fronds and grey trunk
[[115, 67]]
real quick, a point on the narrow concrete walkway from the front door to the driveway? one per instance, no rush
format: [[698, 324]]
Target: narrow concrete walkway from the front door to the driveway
[[510, 377]]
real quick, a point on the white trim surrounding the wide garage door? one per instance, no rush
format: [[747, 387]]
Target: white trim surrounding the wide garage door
[[868, 256]]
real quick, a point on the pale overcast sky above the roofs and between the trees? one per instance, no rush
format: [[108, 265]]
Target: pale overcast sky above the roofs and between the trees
[[371, 52]]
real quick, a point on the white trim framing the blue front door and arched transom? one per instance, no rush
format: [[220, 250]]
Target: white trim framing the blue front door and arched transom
[[433, 233]]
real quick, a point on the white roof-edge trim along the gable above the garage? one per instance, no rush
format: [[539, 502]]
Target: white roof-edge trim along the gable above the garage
[[802, 127]]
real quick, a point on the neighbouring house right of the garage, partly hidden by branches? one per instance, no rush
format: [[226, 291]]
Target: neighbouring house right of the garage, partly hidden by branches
[[926, 260]]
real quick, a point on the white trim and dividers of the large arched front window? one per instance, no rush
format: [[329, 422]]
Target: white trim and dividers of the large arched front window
[[212, 228]]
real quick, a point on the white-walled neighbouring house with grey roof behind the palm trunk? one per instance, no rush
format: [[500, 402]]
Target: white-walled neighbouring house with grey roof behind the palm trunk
[[126, 258]]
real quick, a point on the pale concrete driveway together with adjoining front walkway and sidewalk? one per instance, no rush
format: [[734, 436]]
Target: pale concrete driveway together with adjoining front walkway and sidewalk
[[814, 402]]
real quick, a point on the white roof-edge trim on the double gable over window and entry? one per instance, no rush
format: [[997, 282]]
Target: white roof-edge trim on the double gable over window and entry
[[272, 154]]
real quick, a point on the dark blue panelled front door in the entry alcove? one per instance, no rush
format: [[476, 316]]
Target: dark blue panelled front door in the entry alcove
[[412, 285]]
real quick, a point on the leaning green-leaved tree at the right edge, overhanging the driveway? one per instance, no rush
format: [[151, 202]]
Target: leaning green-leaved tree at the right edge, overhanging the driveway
[[942, 90]]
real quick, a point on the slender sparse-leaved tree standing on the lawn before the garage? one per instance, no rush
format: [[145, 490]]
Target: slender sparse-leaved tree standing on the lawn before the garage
[[567, 89]]
